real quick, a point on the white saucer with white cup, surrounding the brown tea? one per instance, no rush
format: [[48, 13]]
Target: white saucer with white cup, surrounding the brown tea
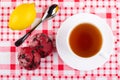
[[75, 61]]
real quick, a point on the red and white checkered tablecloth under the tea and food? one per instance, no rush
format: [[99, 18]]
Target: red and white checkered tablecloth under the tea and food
[[52, 67]]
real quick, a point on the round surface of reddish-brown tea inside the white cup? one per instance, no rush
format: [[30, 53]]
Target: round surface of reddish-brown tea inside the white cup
[[85, 40]]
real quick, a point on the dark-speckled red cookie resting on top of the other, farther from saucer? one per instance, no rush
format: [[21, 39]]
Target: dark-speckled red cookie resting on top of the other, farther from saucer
[[29, 58]]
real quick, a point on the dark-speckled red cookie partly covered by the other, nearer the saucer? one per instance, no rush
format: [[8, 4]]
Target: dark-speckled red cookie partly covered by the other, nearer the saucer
[[42, 43]]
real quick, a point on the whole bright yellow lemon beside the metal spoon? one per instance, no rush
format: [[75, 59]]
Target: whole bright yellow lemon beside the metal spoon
[[22, 16]]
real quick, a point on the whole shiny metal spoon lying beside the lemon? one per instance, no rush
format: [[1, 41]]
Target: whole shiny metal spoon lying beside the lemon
[[51, 12]]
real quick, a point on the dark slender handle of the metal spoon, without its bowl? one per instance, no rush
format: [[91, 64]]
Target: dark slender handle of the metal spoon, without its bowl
[[22, 39]]
